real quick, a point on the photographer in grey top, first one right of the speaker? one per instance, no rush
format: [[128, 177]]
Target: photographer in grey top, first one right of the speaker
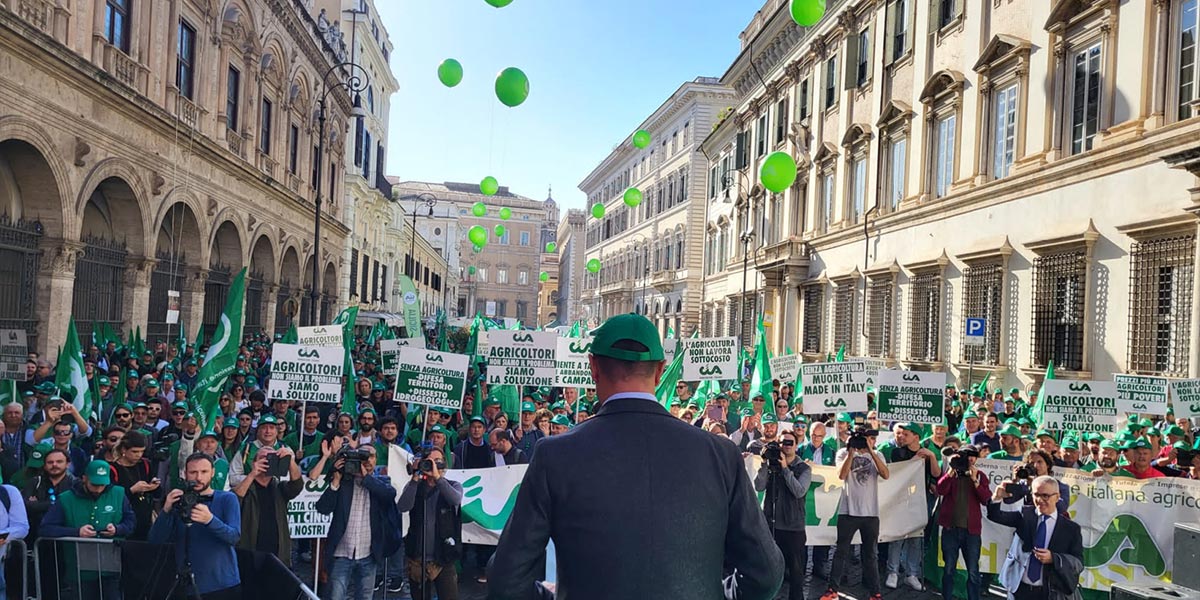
[[784, 505]]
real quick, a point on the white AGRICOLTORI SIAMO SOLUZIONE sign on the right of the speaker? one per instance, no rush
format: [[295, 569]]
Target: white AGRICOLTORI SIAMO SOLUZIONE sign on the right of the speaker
[[1081, 406]]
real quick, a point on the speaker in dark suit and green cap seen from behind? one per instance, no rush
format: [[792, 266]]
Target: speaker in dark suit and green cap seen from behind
[[639, 503]]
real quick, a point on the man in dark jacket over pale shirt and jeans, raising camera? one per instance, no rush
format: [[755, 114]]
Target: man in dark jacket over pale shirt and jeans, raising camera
[[359, 536]]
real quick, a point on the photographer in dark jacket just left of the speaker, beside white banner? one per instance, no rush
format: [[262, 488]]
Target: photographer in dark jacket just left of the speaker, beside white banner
[[435, 533]]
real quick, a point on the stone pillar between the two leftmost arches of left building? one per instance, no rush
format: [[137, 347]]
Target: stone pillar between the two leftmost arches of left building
[[56, 293]]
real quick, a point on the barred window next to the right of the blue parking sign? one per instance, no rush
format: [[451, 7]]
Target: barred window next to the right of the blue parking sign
[[1060, 284]]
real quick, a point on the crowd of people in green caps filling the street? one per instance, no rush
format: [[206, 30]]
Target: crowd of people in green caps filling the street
[[141, 467]]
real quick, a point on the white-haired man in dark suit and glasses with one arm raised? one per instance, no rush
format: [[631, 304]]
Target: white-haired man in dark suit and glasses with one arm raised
[[1052, 539]]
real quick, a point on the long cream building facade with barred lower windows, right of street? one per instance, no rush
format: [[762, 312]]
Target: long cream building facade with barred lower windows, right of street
[[1030, 163]]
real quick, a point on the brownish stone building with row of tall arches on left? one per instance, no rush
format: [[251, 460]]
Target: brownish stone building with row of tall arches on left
[[153, 147]]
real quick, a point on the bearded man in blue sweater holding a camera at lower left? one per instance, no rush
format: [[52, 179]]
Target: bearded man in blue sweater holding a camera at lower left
[[215, 521]]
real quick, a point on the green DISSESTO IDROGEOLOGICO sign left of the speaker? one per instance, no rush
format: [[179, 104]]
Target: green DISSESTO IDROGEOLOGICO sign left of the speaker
[[431, 379]]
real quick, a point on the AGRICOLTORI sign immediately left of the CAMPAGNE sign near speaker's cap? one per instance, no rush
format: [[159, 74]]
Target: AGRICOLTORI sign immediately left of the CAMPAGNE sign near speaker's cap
[[523, 358]]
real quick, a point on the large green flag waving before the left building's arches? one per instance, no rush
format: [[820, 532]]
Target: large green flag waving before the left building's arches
[[223, 356]]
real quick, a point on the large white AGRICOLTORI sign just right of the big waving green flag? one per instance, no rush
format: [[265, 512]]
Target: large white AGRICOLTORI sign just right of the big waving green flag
[[307, 374]]
